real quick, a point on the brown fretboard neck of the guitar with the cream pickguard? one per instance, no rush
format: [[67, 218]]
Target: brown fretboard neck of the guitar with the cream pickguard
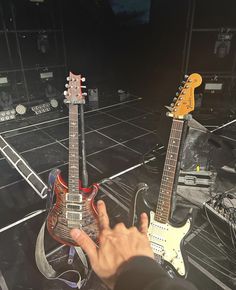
[[168, 176]]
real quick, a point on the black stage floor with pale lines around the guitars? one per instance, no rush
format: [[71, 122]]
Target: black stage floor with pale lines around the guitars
[[117, 137]]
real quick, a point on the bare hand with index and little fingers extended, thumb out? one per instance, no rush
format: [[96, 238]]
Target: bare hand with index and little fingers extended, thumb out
[[116, 246]]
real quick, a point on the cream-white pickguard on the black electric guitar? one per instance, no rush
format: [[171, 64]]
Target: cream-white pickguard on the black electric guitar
[[166, 240]]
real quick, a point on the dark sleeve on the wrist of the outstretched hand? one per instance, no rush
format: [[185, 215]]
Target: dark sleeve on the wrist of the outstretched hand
[[144, 273]]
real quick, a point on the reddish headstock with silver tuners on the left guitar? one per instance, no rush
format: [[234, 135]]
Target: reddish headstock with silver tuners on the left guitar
[[74, 94]]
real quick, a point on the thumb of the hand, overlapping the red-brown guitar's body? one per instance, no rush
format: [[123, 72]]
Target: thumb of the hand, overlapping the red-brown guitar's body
[[87, 245]]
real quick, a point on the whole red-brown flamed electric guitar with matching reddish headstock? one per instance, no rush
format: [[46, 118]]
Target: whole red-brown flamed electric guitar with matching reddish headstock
[[73, 207]]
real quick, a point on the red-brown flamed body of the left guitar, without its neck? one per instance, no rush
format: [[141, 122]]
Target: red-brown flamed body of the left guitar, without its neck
[[68, 214]]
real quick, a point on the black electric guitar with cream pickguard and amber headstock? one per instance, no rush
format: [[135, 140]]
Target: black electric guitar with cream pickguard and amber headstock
[[165, 237]]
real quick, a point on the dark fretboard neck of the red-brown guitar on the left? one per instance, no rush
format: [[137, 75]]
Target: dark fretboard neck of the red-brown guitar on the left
[[73, 180]]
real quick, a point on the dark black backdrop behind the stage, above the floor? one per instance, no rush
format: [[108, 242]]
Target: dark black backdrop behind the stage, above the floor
[[146, 56]]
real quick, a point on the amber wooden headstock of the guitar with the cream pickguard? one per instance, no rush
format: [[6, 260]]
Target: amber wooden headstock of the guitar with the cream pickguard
[[184, 103]]
